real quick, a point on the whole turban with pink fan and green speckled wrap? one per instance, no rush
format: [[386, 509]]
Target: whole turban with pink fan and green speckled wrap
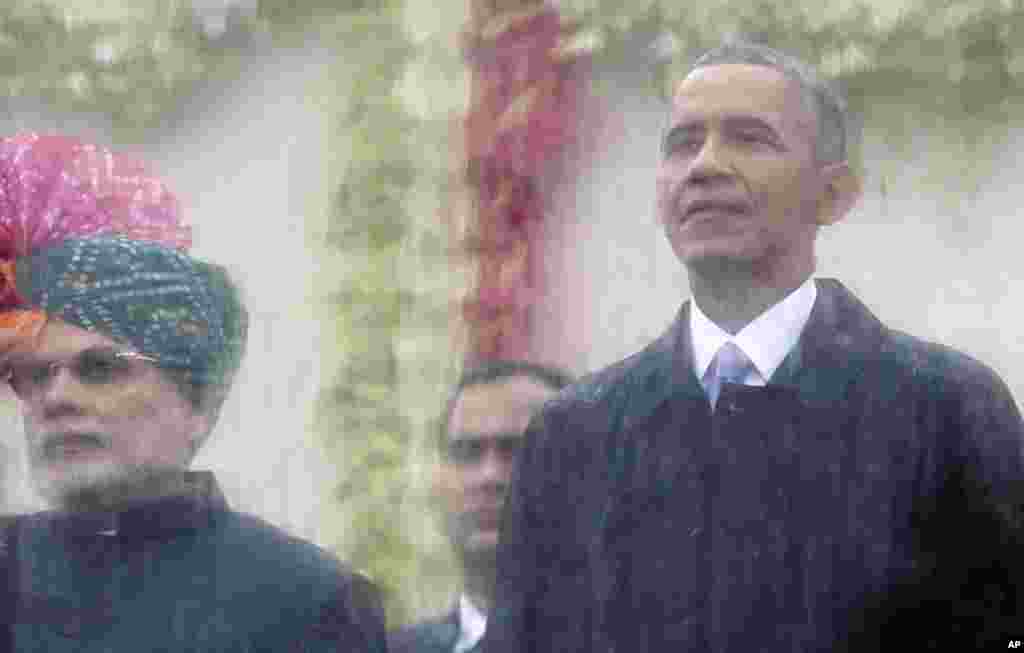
[[90, 237]]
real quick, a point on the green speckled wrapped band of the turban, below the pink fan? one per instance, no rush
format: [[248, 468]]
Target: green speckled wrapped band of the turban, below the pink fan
[[185, 313]]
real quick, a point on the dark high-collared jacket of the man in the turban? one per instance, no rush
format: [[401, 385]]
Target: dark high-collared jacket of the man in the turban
[[184, 575]]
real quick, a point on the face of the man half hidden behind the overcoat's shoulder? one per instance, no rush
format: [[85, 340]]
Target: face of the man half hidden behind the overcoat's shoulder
[[485, 433]]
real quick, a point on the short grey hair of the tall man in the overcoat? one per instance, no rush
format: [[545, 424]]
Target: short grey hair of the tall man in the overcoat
[[821, 97]]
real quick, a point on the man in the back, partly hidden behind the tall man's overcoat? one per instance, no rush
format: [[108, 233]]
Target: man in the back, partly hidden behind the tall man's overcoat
[[480, 440]]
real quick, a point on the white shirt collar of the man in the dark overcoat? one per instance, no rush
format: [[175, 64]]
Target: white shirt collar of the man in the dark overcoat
[[766, 341]]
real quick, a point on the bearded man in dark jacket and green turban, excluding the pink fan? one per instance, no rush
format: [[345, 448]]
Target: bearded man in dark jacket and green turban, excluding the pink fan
[[129, 356]]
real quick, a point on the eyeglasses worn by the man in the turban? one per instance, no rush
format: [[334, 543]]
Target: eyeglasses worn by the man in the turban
[[94, 367]]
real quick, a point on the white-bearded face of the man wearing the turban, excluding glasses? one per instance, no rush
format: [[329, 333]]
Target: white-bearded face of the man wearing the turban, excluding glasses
[[88, 436]]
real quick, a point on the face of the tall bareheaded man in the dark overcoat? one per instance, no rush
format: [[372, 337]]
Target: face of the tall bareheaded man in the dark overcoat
[[739, 180]]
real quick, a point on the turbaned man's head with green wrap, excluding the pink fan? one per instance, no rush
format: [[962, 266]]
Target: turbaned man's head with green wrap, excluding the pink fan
[[122, 311]]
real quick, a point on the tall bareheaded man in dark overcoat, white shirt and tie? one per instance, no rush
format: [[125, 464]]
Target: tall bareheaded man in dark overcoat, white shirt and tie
[[780, 471]]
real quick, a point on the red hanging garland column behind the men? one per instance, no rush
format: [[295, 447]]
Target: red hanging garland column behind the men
[[524, 114]]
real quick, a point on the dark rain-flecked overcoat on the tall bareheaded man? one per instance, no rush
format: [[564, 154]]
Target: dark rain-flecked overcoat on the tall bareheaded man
[[864, 496]]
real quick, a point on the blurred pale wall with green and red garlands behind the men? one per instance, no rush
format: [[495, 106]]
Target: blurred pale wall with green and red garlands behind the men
[[405, 186]]
